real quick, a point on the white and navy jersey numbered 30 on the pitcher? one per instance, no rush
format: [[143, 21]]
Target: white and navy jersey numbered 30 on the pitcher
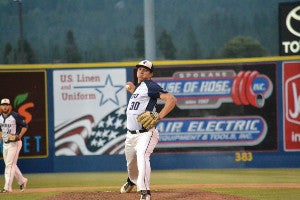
[[144, 98]]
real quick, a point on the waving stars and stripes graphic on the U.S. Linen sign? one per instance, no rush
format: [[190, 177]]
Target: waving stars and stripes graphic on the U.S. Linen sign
[[83, 137]]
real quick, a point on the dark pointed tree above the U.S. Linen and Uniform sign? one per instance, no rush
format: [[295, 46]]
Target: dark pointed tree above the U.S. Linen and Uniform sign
[[72, 54]]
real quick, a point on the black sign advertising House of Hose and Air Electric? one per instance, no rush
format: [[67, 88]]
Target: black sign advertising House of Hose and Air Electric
[[219, 108]]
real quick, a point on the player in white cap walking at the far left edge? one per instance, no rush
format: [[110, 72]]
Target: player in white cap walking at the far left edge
[[12, 124]]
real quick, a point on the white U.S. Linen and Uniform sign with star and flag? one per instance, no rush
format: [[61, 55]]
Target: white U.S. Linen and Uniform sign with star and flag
[[89, 111]]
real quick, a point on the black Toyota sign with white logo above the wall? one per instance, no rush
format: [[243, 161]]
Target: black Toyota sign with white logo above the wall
[[289, 28]]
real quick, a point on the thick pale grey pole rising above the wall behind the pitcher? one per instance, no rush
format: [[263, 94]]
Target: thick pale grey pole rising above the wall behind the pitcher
[[149, 30]]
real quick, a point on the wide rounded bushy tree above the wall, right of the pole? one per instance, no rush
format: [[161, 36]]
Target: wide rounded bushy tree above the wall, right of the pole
[[243, 47]]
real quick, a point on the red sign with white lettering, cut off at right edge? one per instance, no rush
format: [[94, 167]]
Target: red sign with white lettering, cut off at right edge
[[291, 102]]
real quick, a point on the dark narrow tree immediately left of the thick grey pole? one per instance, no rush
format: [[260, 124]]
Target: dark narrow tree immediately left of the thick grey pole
[[139, 41]]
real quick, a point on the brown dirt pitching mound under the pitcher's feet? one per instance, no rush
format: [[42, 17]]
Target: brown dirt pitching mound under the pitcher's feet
[[156, 195]]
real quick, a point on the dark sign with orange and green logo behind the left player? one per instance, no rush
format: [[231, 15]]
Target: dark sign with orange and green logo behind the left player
[[27, 93]]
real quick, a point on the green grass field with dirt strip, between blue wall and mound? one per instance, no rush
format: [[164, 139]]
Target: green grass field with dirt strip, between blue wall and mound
[[266, 184]]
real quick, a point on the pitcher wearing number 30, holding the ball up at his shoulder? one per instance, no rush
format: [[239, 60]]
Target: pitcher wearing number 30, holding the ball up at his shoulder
[[140, 142]]
